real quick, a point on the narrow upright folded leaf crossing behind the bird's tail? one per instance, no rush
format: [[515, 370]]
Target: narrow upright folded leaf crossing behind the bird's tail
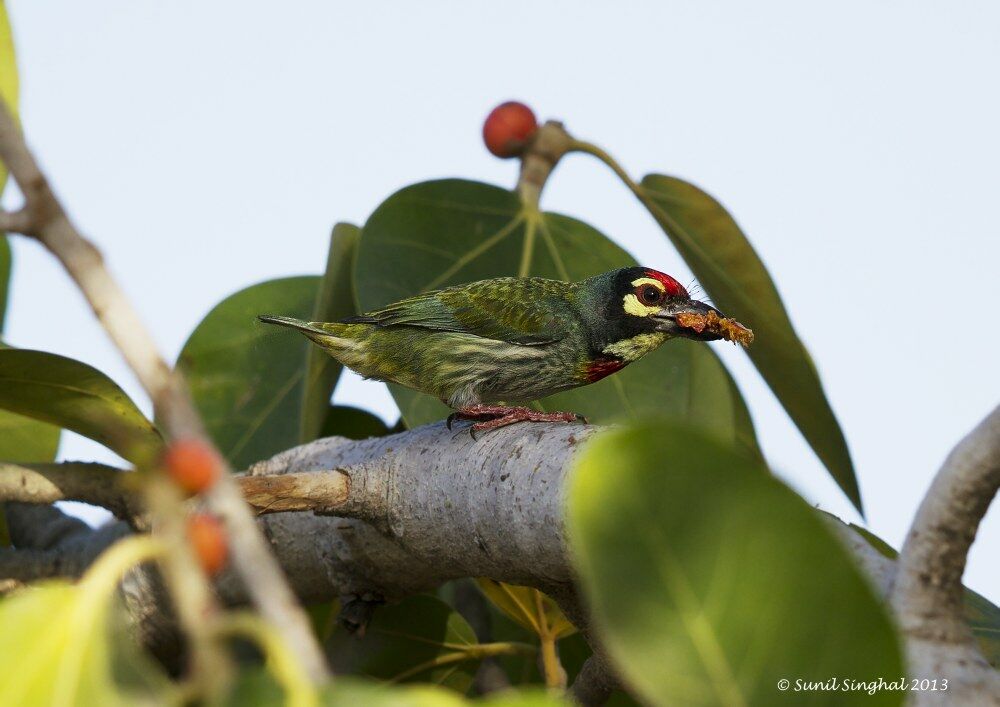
[[334, 301]]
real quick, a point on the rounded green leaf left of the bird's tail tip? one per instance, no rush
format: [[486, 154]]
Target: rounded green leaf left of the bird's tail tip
[[246, 378]]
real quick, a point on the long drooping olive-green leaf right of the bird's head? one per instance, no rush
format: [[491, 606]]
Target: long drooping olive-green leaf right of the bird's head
[[733, 275]]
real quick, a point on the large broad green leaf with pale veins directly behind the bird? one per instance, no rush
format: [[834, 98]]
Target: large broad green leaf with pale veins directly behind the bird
[[452, 231]]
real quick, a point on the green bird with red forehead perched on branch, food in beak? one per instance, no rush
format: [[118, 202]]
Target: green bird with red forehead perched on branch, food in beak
[[481, 346]]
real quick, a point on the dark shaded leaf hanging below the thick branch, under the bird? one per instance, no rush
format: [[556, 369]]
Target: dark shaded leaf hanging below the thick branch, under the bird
[[419, 639]]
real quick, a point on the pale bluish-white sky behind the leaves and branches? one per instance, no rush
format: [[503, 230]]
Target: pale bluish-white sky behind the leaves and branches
[[209, 146]]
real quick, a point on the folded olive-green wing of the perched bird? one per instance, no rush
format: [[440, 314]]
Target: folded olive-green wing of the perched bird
[[527, 311]]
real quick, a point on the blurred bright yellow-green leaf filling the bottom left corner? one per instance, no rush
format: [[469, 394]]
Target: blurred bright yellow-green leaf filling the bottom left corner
[[59, 644]]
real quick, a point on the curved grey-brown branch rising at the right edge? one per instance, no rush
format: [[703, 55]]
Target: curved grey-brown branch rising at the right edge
[[927, 589]]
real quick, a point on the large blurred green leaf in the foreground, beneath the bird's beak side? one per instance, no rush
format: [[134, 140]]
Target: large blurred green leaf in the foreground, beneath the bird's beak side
[[709, 580]]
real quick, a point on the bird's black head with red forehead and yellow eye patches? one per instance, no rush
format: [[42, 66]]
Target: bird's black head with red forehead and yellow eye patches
[[635, 301]]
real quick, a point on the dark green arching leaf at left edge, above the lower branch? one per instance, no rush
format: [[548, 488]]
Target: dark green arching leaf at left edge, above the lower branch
[[71, 394]]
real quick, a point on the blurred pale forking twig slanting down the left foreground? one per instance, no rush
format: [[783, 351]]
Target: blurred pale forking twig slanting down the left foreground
[[258, 568]]
